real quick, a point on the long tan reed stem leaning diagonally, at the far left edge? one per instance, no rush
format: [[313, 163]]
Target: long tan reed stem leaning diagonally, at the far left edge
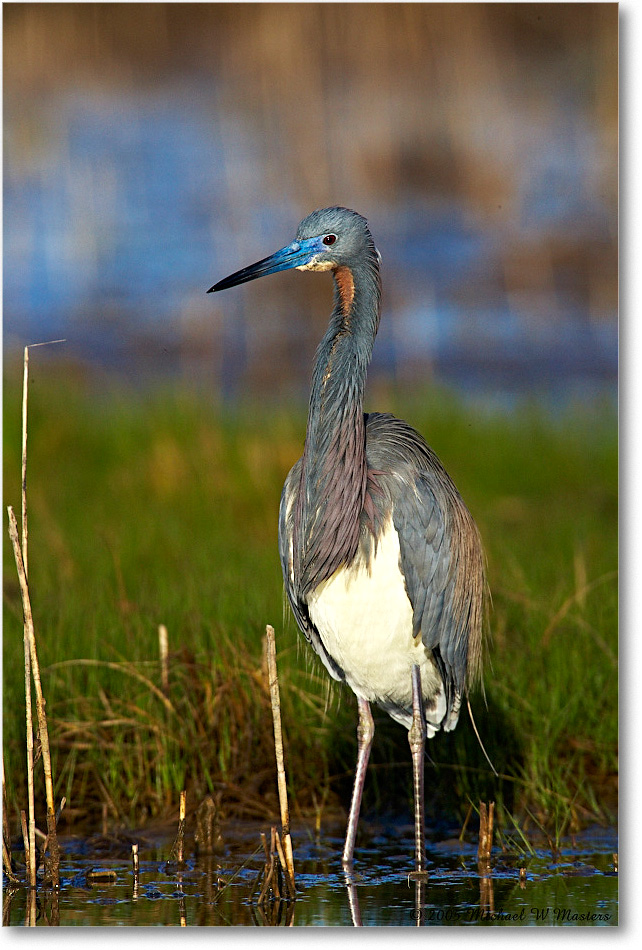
[[40, 701]]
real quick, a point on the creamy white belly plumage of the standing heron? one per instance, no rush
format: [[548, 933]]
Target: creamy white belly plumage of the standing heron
[[364, 618]]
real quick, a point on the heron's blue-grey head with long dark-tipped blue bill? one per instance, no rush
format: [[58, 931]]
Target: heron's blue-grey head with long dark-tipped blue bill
[[325, 240]]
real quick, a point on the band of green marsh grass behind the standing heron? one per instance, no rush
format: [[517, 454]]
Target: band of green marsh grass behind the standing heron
[[157, 507]]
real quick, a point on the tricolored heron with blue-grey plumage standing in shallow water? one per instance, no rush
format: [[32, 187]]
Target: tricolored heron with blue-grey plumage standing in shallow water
[[382, 561]]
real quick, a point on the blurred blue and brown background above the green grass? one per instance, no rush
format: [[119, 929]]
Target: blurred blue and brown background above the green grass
[[150, 149]]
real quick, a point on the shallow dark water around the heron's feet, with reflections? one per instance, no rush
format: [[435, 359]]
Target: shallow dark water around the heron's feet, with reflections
[[575, 887]]
